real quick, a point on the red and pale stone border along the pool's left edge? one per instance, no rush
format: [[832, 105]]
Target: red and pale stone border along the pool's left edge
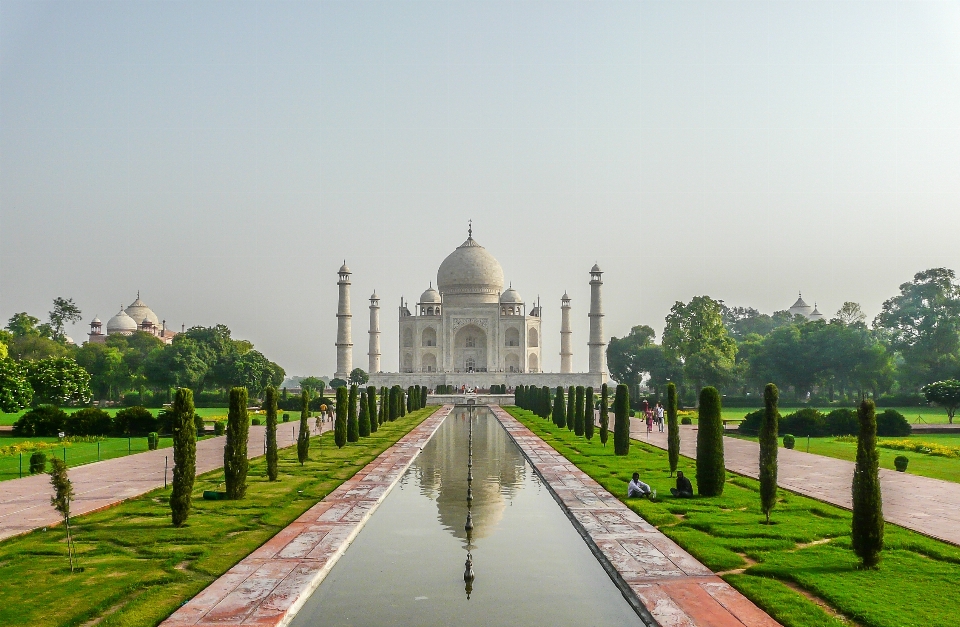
[[270, 585]]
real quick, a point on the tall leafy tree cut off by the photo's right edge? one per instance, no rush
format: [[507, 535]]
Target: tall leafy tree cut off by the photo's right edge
[[922, 323]]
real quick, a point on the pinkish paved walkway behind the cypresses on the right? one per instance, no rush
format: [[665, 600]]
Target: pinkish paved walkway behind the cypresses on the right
[[930, 506]]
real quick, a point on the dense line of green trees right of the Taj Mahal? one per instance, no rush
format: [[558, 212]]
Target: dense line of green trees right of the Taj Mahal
[[914, 341]]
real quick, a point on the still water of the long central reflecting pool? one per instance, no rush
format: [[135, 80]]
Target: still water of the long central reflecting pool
[[406, 565]]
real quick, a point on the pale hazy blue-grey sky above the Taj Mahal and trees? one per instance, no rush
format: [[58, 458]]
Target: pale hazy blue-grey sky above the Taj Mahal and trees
[[224, 158]]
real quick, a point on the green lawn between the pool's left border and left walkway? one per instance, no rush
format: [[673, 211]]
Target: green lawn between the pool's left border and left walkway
[[138, 565]]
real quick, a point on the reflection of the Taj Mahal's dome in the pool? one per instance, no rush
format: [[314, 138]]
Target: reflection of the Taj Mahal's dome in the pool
[[498, 471]]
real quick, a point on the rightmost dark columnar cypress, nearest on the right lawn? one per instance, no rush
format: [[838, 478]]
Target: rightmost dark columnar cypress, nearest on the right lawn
[[867, 500]]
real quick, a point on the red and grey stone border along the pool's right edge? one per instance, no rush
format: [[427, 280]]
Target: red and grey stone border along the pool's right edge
[[673, 587]]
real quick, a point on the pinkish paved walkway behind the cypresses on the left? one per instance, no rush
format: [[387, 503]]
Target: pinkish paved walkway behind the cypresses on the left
[[25, 503]]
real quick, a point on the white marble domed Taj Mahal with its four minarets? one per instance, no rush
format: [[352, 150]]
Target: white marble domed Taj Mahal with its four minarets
[[470, 331]]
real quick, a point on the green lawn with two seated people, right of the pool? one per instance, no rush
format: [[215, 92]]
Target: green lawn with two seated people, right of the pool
[[808, 546]]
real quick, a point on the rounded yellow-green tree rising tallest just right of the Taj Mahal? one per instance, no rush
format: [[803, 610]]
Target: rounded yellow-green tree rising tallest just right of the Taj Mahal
[[695, 334]]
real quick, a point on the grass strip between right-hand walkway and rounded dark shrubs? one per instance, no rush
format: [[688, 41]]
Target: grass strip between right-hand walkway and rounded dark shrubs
[[945, 468]]
